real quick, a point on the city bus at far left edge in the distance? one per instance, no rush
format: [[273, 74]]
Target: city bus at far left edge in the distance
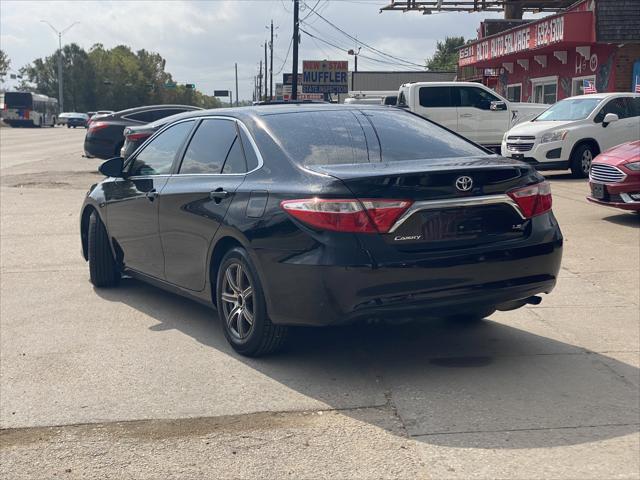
[[29, 109]]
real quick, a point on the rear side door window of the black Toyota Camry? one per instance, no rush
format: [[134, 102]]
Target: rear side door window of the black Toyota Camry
[[209, 147]]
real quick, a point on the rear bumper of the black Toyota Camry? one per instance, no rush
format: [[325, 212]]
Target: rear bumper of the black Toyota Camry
[[438, 284]]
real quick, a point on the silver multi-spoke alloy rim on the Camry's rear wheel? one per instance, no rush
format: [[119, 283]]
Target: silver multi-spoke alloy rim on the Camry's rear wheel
[[237, 301]]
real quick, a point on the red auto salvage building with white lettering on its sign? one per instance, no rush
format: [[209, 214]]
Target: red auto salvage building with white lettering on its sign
[[548, 59]]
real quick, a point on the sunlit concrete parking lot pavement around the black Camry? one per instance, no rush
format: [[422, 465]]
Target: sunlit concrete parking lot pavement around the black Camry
[[136, 382]]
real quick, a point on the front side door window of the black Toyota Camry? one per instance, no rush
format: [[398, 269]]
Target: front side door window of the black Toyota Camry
[[157, 157]]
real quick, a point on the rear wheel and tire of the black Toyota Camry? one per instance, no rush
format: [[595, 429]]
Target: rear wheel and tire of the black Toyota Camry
[[242, 307]]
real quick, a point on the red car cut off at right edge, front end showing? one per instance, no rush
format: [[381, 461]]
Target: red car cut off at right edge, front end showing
[[614, 177]]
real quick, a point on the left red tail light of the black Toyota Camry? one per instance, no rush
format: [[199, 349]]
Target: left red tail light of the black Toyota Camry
[[347, 215]]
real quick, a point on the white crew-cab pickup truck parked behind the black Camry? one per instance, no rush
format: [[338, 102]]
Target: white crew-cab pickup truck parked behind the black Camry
[[470, 109]]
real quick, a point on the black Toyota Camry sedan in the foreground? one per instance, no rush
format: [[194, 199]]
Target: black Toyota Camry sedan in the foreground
[[322, 215]]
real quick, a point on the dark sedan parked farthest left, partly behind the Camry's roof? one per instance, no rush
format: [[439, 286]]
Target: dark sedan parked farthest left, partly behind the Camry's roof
[[105, 136]]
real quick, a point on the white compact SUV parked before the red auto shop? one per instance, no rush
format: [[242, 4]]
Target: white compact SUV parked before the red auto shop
[[574, 130]]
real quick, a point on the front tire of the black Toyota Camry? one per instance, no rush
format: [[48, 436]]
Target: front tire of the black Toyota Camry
[[103, 269]]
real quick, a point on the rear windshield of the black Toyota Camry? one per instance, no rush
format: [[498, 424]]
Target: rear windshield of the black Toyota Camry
[[332, 137]]
